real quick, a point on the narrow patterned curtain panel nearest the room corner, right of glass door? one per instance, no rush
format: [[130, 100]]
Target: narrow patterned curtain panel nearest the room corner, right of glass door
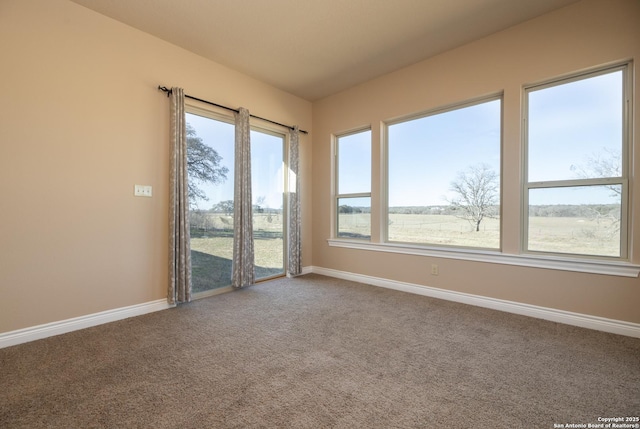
[[294, 265]]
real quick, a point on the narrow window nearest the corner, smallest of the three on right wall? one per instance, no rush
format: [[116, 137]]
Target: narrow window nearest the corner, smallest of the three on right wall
[[353, 185]]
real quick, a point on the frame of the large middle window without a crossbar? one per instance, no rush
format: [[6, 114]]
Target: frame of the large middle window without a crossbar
[[496, 96]]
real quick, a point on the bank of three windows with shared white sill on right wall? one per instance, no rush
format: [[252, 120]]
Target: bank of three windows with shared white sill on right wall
[[442, 179]]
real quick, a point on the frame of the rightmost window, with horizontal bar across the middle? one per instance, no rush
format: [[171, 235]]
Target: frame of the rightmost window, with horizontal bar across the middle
[[622, 180]]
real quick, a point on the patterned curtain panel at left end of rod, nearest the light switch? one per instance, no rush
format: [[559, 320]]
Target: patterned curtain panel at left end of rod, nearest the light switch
[[179, 246]]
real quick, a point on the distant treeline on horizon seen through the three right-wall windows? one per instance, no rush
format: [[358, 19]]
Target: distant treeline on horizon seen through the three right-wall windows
[[555, 210]]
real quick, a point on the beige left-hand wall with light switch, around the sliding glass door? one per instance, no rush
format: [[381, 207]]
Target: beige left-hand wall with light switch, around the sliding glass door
[[81, 122]]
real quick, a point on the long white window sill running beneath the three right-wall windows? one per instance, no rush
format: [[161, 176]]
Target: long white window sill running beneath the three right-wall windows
[[592, 266]]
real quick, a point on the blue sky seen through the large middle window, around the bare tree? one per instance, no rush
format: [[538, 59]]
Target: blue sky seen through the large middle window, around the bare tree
[[426, 154]]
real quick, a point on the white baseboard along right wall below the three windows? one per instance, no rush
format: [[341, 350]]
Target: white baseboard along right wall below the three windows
[[575, 319]]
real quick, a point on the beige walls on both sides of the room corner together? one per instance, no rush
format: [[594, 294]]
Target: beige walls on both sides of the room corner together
[[81, 122]]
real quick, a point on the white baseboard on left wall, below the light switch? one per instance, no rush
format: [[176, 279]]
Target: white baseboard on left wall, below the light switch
[[20, 336]]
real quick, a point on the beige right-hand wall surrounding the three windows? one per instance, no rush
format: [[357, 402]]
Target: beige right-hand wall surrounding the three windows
[[580, 36]]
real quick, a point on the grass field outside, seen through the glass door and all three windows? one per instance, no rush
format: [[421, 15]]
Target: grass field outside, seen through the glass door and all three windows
[[212, 242]]
